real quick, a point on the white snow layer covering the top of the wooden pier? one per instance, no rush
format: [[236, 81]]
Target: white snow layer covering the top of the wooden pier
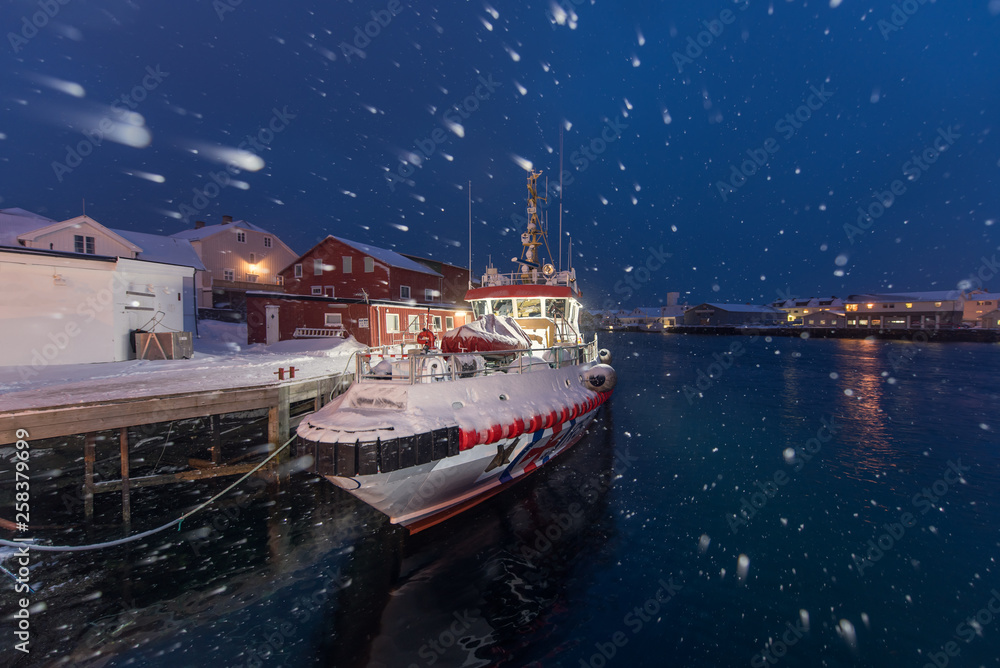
[[222, 360]]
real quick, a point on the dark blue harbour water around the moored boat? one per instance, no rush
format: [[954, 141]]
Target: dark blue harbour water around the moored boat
[[626, 551]]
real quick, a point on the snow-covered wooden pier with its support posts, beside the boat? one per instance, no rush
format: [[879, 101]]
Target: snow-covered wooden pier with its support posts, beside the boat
[[68, 401]]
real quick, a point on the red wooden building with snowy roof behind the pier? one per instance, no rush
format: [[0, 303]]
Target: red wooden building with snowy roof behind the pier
[[376, 295]]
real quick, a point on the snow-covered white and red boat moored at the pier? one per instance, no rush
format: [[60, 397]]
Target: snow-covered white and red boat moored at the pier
[[424, 434]]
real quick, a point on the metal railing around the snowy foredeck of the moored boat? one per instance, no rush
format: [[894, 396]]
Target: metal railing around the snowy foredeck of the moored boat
[[401, 366]]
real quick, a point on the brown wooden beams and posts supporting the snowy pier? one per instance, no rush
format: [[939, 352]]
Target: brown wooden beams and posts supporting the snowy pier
[[89, 418]]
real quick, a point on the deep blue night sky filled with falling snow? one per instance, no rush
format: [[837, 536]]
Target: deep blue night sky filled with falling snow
[[835, 100]]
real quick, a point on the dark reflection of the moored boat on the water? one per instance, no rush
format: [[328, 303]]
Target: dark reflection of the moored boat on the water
[[481, 591]]
